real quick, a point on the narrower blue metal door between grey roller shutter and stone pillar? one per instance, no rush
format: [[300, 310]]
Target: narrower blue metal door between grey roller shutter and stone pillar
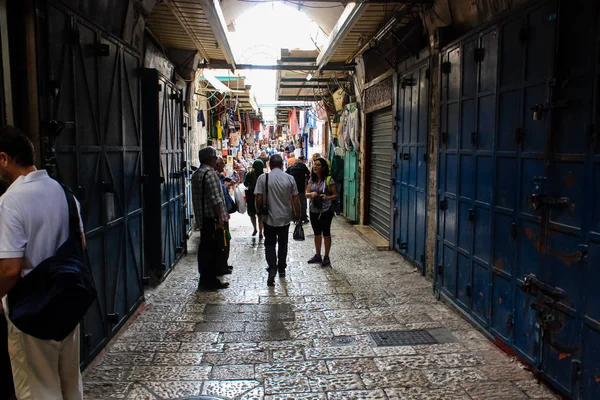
[[410, 165]]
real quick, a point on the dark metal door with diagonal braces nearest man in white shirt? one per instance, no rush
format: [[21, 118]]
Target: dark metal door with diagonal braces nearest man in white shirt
[[90, 116]]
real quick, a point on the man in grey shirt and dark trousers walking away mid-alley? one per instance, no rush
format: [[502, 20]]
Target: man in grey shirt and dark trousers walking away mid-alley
[[280, 196]]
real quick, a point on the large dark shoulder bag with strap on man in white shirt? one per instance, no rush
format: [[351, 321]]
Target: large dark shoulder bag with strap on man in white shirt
[[50, 301]]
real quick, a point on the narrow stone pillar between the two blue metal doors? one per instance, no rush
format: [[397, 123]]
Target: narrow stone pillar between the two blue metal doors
[[432, 165]]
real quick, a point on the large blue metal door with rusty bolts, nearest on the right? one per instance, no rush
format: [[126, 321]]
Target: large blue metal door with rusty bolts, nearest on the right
[[518, 176]]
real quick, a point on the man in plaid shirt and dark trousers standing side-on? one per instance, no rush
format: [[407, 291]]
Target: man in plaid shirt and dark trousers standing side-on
[[211, 216]]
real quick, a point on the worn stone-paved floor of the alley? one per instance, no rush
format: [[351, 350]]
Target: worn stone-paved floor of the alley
[[254, 342]]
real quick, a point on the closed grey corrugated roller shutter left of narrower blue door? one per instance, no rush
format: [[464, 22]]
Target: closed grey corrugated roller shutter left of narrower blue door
[[380, 132]]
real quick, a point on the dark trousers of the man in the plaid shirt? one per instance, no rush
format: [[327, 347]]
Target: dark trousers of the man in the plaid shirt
[[211, 252]]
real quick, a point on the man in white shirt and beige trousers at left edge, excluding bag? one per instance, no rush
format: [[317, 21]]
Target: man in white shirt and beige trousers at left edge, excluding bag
[[34, 223]]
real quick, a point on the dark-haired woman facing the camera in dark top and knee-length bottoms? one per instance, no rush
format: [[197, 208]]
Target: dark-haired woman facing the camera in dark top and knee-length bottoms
[[321, 191]]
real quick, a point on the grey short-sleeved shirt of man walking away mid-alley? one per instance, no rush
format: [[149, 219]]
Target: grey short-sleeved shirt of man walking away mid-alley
[[282, 187]]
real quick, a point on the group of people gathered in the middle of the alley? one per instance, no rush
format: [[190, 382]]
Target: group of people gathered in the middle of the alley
[[278, 186]]
